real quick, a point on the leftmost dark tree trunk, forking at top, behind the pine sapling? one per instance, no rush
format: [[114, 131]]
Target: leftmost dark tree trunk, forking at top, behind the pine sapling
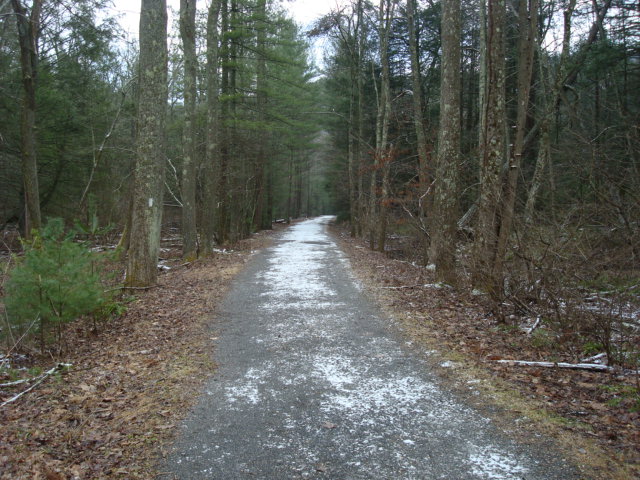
[[28, 24]]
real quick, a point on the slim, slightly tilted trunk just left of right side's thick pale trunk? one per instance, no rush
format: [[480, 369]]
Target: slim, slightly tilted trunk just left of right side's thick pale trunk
[[418, 122]]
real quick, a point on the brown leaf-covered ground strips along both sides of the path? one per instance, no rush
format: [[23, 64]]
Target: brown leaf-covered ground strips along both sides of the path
[[114, 411]]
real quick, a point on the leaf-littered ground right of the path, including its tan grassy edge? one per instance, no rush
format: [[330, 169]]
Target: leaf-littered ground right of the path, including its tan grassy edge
[[595, 416]]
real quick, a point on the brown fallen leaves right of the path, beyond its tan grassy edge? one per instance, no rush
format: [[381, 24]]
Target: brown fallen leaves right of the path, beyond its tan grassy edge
[[454, 322]]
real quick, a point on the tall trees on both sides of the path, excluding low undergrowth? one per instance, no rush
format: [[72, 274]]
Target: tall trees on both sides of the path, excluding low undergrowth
[[475, 130]]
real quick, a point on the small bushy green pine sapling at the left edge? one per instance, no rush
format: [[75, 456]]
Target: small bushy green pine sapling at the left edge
[[56, 281]]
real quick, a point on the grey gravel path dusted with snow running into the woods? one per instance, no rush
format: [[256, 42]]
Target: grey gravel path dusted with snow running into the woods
[[314, 383]]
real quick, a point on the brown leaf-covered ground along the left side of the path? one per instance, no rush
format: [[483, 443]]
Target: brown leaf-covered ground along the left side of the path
[[111, 413]]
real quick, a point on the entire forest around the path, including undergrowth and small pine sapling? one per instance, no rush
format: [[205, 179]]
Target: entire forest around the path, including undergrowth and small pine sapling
[[493, 144]]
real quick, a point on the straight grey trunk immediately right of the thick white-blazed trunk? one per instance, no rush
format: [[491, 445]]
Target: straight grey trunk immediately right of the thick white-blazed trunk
[[188, 34]]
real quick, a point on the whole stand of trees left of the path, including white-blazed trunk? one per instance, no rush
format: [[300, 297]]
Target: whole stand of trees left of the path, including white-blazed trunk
[[237, 146]]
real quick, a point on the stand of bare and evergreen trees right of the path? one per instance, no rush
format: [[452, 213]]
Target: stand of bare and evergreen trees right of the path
[[507, 132]]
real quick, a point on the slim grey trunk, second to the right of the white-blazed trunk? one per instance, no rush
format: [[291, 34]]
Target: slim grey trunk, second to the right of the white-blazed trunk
[[213, 126]]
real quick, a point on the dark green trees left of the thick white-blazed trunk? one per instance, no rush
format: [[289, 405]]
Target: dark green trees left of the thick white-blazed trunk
[[78, 113]]
